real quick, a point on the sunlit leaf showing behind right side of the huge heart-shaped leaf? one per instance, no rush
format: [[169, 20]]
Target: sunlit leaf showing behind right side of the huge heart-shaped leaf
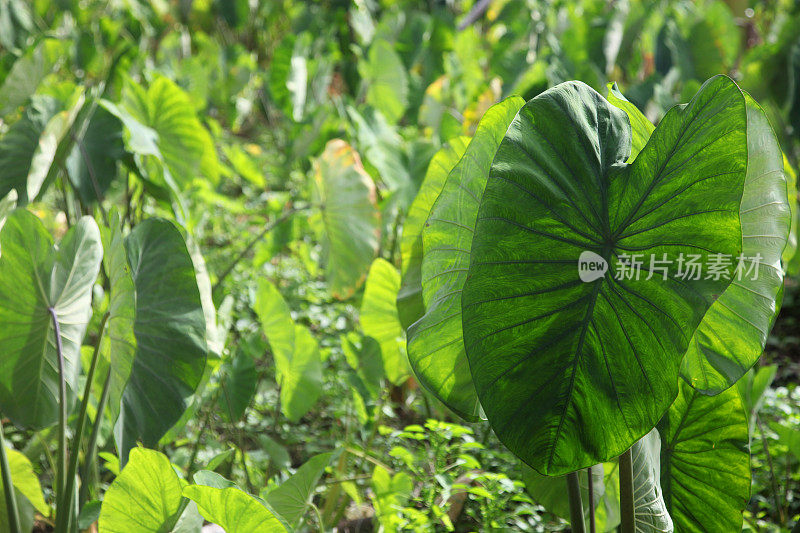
[[716, 359]]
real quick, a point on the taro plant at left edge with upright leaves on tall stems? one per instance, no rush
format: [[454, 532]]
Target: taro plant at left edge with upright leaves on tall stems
[[146, 359]]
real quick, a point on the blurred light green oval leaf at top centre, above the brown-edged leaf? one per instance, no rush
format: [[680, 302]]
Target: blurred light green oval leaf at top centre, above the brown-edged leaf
[[387, 89]]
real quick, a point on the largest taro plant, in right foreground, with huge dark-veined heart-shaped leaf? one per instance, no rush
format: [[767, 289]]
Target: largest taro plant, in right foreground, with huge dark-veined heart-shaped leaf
[[589, 279]]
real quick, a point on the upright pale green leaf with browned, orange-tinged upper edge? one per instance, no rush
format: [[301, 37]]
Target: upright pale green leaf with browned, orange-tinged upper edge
[[349, 215]]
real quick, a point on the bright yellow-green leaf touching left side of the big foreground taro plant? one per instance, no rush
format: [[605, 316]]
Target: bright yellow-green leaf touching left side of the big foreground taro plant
[[379, 318]]
